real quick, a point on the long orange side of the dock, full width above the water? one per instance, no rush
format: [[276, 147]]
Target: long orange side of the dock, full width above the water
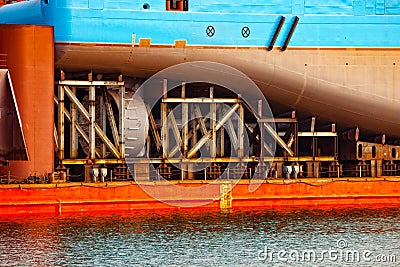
[[126, 196]]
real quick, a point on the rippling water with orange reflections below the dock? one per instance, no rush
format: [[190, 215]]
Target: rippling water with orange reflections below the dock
[[295, 237]]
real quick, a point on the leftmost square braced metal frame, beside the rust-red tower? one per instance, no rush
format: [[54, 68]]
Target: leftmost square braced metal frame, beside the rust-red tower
[[67, 89]]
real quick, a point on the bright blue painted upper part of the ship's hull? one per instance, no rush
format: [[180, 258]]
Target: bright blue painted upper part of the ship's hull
[[336, 23]]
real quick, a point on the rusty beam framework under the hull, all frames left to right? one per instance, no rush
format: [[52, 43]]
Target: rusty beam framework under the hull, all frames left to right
[[179, 132]]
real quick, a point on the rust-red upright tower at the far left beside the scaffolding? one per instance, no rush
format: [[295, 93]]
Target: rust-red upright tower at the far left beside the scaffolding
[[30, 56]]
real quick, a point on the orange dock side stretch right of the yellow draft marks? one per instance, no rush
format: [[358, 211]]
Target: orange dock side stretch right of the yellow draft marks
[[312, 193]]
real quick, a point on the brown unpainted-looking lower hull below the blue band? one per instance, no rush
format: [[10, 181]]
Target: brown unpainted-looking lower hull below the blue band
[[352, 87]]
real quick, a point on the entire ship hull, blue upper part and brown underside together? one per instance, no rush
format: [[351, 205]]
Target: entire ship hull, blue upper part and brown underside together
[[338, 60]]
